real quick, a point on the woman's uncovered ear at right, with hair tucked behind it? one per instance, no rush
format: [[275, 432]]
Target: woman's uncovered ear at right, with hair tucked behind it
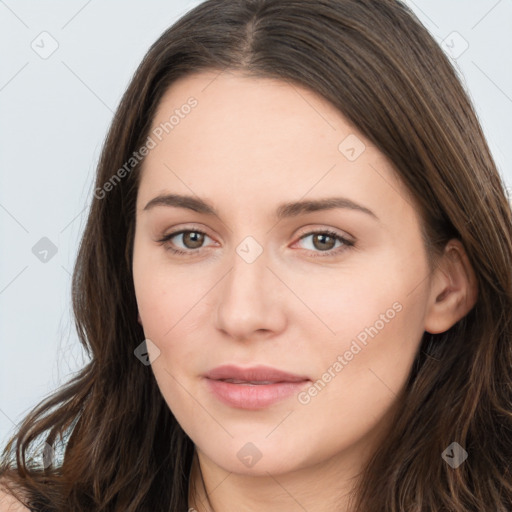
[[454, 289]]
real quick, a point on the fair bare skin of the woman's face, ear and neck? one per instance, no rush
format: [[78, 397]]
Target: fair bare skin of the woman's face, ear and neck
[[248, 146]]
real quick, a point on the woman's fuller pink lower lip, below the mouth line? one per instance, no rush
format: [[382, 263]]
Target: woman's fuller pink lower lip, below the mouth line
[[257, 396]]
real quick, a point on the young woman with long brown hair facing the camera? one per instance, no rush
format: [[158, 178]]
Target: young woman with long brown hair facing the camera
[[294, 283]]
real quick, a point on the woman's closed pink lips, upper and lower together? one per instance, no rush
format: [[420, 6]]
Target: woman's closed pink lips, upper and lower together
[[276, 385]]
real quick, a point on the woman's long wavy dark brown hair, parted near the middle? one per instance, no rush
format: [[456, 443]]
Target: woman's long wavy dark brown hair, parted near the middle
[[122, 448]]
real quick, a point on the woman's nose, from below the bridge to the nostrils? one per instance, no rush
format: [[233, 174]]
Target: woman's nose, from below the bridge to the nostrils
[[251, 302]]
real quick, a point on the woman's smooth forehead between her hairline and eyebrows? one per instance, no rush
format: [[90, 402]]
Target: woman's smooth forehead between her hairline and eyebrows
[[244, 136]]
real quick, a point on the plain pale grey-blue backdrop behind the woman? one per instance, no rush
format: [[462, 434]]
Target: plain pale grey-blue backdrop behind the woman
[[64, 66]]
